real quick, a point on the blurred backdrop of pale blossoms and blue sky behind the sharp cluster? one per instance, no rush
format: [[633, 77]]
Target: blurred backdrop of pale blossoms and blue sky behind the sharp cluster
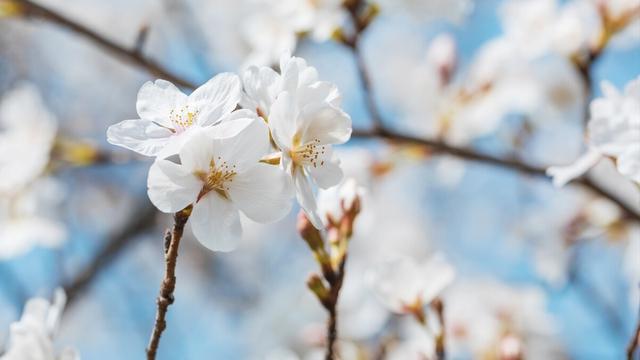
[[556, 268]]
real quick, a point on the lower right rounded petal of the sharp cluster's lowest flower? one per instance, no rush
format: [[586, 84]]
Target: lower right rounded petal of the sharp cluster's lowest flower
[[263, 193]]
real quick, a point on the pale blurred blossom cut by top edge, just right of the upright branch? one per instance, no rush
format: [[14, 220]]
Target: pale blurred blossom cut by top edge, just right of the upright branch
[[452, 10]]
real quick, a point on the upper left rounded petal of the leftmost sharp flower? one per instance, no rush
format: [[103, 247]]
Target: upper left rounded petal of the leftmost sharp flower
[[157, 99]]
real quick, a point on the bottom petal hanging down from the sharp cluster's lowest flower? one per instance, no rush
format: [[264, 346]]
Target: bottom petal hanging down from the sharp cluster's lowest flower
[[216, 223]]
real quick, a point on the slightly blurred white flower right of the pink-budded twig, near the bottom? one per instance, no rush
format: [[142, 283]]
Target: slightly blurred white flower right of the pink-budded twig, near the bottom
[[402, 283]]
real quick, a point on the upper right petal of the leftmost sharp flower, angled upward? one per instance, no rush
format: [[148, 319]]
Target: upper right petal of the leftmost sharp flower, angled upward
[[217, 97]]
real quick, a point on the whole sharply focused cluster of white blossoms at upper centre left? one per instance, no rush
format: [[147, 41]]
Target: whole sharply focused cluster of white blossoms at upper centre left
[[239, 144]]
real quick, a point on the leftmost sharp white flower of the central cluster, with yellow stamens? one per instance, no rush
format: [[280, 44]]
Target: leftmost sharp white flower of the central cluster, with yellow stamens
[[167, 115]]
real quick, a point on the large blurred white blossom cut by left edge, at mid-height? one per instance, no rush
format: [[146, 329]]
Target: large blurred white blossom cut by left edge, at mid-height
[[27, 133]]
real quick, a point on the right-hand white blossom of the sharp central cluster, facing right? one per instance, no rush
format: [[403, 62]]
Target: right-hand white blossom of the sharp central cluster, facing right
[[305, 120]]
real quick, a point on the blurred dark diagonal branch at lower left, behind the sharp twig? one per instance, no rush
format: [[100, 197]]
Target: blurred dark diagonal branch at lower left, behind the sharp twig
[[142, 221]]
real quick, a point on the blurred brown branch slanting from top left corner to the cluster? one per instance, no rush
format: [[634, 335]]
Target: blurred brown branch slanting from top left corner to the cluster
[[132, 56]]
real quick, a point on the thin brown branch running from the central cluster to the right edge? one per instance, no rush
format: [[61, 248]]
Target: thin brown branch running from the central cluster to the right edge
[[505, 163]]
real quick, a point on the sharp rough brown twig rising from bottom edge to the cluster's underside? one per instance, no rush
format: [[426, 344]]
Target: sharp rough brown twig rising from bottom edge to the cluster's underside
[[165, 298]]
